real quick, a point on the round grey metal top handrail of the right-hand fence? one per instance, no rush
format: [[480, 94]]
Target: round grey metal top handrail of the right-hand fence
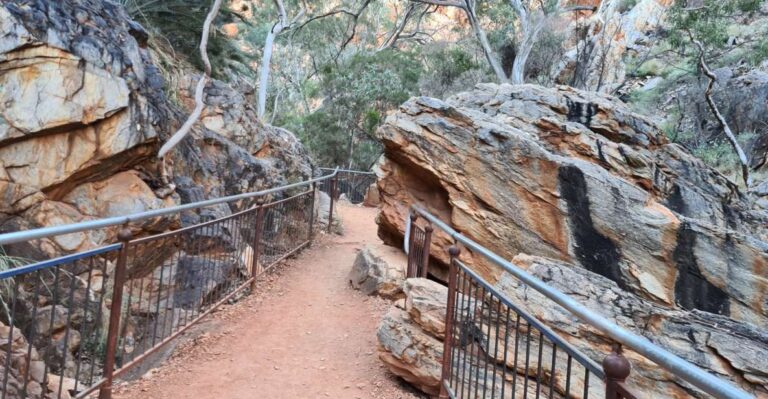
[[694, 375]]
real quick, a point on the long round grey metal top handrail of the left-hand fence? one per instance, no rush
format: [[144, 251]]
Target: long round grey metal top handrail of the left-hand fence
[[26, 235]]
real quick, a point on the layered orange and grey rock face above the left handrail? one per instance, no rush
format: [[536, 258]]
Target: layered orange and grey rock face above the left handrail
[[84, 111]]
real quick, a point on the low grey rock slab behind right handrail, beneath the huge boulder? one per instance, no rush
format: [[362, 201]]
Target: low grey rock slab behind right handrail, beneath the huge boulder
[[709, 341]]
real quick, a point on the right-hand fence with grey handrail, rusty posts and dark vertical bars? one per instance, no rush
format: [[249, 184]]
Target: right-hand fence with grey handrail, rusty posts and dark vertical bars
[[495, 349]]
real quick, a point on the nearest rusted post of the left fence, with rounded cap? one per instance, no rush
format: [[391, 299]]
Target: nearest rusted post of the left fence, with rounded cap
[[115, 310]]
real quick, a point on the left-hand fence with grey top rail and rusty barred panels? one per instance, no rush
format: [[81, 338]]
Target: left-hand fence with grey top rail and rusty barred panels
[[72, 325]]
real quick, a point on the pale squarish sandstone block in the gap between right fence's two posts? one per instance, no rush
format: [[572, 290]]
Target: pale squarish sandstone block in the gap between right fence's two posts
[[426, 304]]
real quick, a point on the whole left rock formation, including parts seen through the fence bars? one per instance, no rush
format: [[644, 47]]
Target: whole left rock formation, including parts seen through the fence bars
[[83, 112]]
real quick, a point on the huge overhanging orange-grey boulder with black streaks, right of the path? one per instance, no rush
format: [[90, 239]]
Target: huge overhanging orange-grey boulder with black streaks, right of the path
[[578, 178]]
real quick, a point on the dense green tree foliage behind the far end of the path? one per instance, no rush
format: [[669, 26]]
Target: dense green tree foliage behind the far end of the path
[[356, 94]]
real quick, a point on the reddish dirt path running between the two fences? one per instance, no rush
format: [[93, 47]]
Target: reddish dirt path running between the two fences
[[307, 334]]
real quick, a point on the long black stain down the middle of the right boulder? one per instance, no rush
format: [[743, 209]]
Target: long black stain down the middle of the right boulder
[[594, 251]]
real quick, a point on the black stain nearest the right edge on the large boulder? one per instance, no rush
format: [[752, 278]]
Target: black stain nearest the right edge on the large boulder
[[692, 289]]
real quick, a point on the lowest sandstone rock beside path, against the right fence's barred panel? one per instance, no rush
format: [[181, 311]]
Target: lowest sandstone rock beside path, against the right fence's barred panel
[[409, 352]]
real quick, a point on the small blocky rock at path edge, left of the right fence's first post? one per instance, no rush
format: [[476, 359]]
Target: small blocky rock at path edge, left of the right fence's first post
[[373, 274]]
